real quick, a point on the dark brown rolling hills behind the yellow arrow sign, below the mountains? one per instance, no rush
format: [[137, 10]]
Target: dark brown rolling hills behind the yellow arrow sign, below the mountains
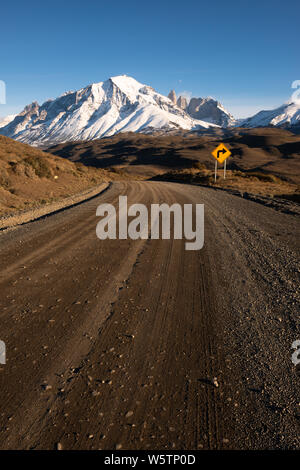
[[271, 150]]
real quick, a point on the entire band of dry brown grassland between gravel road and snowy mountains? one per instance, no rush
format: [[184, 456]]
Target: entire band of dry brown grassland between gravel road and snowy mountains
[[263, 162]]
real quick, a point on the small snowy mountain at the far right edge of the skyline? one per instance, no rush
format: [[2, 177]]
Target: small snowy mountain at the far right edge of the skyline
[[287, 114]]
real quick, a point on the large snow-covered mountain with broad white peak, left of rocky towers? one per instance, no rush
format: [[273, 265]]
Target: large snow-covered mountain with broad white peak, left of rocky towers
[[119, 104]]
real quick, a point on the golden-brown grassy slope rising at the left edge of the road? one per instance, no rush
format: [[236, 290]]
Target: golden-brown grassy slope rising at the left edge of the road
[[30, 177]]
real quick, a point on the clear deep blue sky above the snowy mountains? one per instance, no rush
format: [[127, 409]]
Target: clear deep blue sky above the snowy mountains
[[244, 53]]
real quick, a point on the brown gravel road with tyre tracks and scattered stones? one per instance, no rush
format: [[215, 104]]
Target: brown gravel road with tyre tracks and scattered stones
[[123, 344]]
